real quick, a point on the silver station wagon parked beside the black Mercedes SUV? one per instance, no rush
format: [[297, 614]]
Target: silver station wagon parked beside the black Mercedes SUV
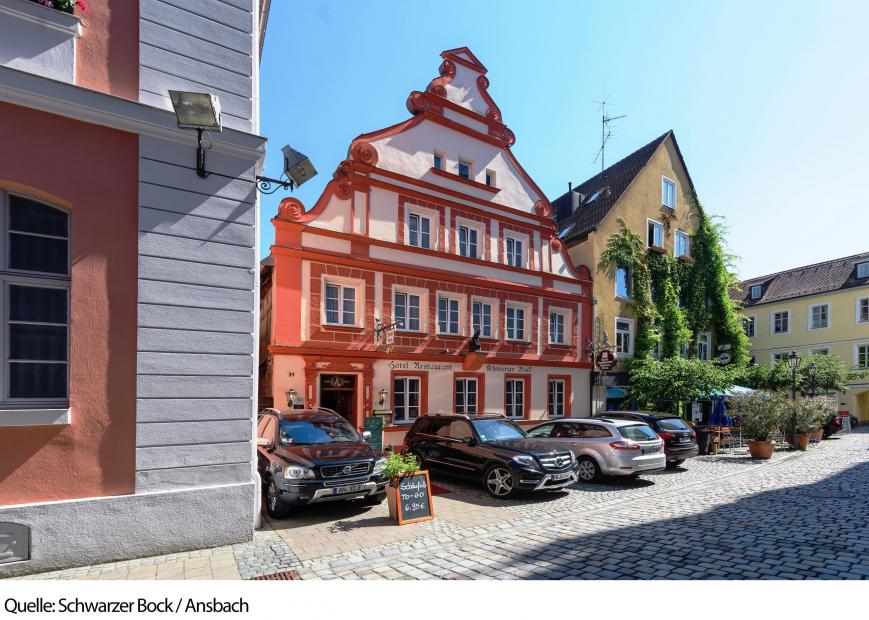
[[605, 447]]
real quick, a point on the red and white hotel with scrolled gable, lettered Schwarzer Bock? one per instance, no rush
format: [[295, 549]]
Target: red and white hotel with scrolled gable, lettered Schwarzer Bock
[[429, 232]]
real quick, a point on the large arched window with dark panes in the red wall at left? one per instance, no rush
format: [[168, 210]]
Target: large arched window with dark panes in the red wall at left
[[34, 303]]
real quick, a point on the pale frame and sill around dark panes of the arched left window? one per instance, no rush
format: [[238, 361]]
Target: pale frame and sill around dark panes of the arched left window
[[31, 411]]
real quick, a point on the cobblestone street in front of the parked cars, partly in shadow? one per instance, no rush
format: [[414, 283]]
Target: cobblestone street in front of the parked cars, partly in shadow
[[797, 516]]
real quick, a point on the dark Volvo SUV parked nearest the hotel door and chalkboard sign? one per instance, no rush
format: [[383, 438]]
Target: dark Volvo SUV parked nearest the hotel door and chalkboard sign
[[314, 455]]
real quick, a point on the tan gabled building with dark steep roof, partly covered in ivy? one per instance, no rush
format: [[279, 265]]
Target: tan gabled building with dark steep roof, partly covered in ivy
[[650, 190]]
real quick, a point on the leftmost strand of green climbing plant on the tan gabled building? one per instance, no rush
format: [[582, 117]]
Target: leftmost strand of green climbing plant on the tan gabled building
[[626, 249]]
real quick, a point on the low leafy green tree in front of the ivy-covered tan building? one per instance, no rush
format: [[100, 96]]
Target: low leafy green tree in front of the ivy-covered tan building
[[672, 381]]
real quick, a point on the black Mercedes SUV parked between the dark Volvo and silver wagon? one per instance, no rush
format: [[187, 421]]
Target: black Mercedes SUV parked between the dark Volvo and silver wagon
[[491, 449]]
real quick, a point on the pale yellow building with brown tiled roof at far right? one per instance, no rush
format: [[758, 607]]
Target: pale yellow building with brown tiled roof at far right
[[822, 308]]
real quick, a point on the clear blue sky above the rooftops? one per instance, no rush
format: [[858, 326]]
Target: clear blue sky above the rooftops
[[768, 100]]
